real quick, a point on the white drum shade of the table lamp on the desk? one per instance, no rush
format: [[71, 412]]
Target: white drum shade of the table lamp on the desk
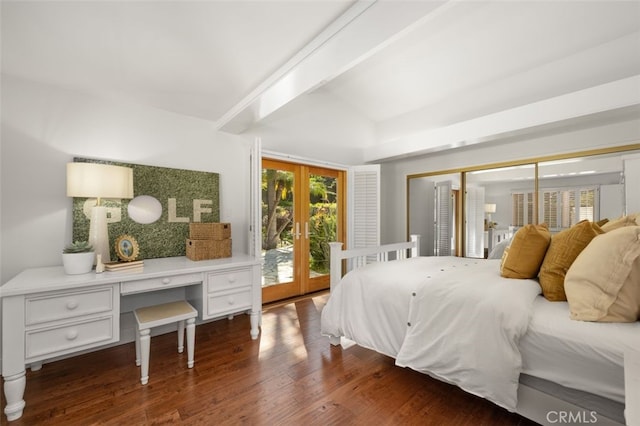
[[92, 180]]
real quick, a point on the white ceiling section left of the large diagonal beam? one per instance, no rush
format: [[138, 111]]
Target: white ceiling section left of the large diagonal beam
[[194, 58]]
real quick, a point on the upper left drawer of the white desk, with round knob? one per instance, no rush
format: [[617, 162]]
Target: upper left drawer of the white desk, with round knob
[[60, 306]]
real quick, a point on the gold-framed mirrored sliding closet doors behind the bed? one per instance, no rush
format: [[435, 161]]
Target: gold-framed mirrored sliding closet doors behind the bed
[[498, 201]]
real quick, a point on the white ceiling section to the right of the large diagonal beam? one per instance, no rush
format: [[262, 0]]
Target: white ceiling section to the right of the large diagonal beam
[[482, 57]]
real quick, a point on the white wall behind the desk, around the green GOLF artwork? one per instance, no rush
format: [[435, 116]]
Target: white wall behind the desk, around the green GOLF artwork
[[43, 128]]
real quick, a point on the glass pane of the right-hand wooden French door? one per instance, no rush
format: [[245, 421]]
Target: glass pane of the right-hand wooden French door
[[321, 228]]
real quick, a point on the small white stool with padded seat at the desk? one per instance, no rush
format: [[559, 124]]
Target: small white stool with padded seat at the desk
[[154, 316]]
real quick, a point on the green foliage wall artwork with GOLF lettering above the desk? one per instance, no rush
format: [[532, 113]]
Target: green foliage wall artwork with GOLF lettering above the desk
[[184, 195]]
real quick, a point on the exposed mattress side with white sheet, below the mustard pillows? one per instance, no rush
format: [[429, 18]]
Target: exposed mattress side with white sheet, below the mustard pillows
[[579, 355]]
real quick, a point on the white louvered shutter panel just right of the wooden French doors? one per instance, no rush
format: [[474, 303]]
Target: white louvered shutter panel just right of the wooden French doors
[[363, 210]]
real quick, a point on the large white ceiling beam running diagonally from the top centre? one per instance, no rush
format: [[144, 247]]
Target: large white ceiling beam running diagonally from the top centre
[[364, 29]]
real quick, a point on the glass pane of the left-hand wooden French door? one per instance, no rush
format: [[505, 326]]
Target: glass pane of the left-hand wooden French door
[[277, 226]]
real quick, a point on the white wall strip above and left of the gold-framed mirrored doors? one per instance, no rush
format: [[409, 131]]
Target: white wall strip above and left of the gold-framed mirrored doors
[[394, 202]]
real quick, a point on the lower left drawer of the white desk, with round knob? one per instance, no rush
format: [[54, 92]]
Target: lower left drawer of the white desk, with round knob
[[54, 341]]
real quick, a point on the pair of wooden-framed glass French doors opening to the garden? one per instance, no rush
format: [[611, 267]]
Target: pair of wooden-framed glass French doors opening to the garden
[[302, 211]]
